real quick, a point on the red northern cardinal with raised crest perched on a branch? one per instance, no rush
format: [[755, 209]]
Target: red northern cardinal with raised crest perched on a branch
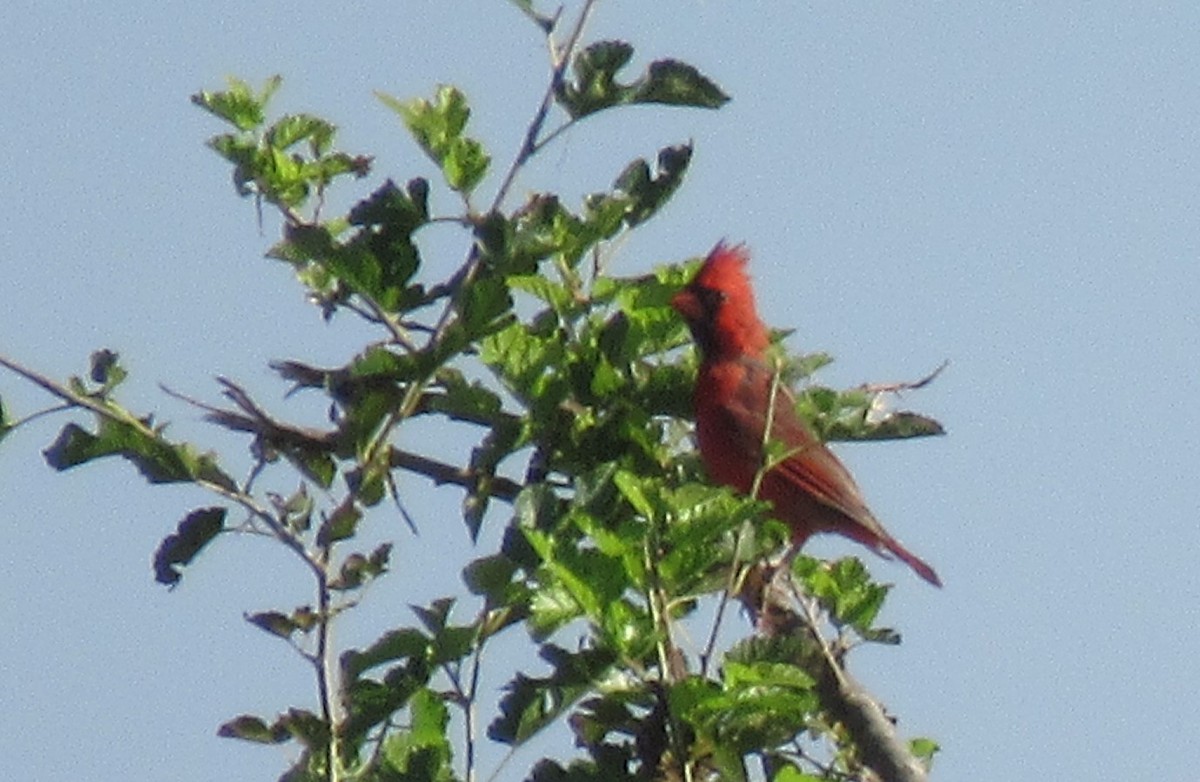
[[812, 491]]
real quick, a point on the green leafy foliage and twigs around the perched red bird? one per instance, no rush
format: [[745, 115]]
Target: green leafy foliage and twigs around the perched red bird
[[579, 389]]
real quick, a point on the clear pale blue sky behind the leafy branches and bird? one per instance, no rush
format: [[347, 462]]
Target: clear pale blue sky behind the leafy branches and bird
[[1010, 187]]
